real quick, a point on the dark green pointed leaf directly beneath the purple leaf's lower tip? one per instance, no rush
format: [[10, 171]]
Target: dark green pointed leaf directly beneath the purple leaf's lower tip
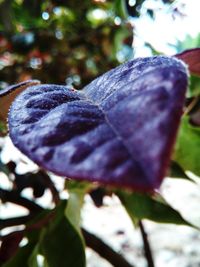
[[143, 206]]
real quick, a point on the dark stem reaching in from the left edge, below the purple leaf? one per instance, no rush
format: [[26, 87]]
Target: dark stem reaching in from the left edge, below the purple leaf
[[14, 197]]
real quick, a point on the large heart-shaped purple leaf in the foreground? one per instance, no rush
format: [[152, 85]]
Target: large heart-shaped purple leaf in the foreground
[[119, 130]]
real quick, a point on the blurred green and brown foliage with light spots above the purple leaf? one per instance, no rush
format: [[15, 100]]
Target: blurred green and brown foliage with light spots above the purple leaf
[[64, 41]]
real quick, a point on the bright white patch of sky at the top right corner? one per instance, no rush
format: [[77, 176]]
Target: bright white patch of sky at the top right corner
[[164, 32]]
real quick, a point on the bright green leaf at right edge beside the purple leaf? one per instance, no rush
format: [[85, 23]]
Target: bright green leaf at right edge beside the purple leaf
[[187, 152]]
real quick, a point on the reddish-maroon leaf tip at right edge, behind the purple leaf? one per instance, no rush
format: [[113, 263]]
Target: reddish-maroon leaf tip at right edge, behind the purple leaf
[[192, 58]]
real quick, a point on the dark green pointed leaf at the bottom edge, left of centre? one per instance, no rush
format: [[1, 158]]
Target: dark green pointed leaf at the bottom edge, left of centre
[[60, 243]]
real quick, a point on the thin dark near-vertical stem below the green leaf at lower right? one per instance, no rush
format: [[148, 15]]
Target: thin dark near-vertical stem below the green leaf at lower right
[[147, 248]]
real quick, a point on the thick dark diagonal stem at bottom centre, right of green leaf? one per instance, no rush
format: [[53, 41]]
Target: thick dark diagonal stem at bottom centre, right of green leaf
[[104, 250]]
